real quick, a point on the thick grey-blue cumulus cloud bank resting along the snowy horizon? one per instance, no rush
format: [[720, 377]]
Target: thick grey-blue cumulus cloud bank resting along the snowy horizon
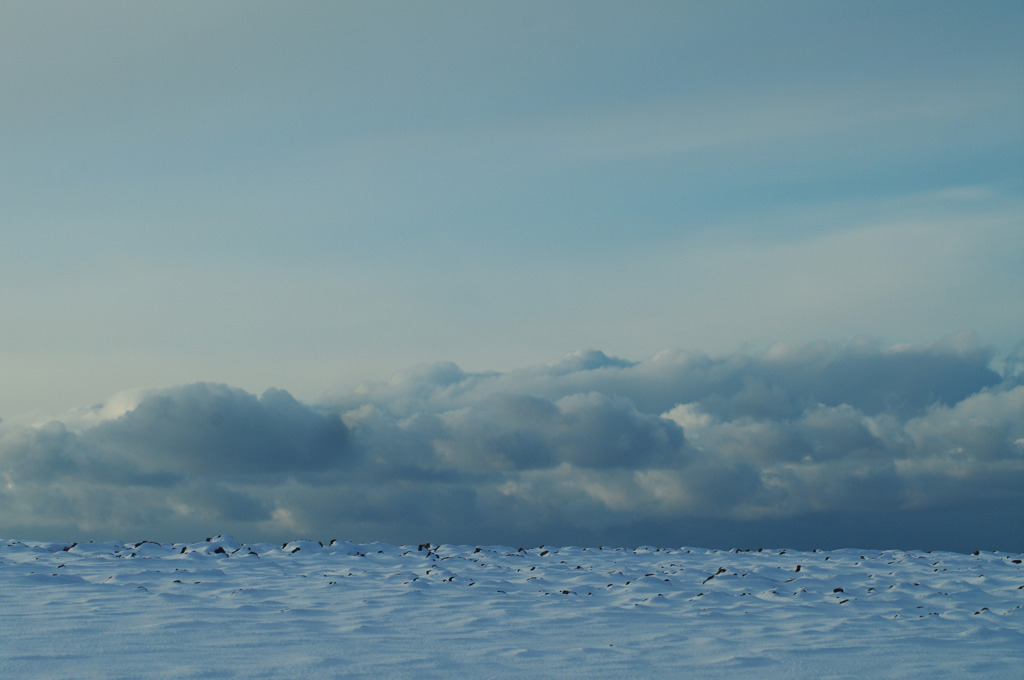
[[800, 446]]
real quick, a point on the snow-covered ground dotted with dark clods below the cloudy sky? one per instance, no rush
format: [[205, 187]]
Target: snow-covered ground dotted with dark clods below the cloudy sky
[[222, 610]]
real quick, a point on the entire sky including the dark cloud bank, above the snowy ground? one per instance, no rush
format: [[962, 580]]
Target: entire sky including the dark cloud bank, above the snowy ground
[[615, 271]]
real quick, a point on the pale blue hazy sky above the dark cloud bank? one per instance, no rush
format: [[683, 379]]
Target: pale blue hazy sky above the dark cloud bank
[[311, 196]]
